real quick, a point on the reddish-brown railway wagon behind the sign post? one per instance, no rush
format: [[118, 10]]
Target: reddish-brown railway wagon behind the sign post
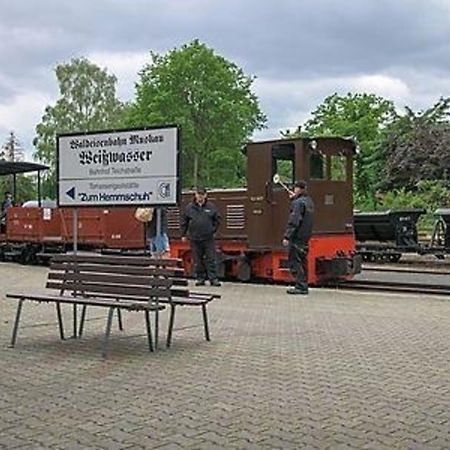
[[34, 233]]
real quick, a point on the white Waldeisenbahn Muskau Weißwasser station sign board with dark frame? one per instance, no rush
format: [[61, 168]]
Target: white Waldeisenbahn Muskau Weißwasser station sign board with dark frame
[[127, 167]]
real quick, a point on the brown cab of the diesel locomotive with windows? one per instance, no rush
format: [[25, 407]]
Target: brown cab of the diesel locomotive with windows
[[324, 163]]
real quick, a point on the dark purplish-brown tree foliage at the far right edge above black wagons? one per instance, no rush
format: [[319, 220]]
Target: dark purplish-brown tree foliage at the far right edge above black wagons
[[417, 146]]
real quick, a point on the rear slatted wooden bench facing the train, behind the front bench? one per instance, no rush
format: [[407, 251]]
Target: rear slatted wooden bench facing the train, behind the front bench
[[168, 269]]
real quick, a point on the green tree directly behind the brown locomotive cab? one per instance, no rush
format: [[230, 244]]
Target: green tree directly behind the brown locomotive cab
[[362, 117]]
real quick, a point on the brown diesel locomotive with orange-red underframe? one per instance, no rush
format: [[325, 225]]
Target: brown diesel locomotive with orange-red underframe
[[249, 240]]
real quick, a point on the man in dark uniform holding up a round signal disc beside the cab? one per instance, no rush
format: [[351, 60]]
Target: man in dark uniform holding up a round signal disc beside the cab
[[297, 235]]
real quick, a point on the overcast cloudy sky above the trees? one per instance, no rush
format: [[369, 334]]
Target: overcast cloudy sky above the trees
[[300, 50]]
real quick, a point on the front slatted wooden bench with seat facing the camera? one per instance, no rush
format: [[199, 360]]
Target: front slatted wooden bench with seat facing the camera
[[102, 285]]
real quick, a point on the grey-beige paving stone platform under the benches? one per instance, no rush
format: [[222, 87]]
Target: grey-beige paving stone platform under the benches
[[334, 370]]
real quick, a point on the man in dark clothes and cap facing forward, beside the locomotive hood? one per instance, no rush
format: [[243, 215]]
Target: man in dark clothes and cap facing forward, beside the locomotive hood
[[199, 222]]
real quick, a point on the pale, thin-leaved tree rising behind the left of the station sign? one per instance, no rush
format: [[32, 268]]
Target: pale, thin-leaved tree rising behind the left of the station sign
[[87, 102]]
